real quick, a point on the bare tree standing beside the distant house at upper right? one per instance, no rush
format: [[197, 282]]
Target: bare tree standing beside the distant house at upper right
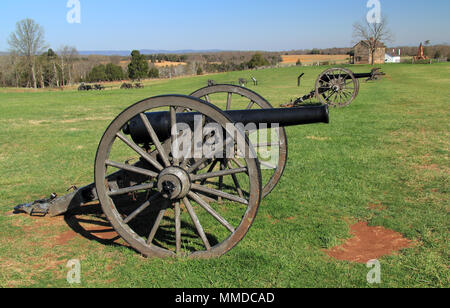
[[373, 34]]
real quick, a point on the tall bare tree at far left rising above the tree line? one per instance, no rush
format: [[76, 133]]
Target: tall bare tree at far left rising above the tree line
[[28, 41]]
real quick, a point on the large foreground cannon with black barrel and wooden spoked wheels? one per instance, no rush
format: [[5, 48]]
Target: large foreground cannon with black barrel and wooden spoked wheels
[[198, 201]]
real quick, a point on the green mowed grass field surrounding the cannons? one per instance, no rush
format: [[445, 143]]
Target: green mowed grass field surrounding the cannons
[[389, 148]]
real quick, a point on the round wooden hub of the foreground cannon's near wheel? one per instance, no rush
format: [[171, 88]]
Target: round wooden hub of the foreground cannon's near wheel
[[174, 183]]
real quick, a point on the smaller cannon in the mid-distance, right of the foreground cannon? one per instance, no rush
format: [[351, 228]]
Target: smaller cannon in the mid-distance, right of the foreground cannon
[[336, 87]]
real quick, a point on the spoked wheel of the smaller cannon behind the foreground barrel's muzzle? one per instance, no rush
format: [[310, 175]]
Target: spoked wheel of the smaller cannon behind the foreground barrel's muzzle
[[337, 87]]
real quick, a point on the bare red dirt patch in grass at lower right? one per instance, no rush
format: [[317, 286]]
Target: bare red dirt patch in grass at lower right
[[369, 243]]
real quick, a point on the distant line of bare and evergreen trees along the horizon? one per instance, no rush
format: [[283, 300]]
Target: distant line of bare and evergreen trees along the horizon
[[31, 63]]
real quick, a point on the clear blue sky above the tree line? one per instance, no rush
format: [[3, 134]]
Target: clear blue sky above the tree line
[[227, 24]]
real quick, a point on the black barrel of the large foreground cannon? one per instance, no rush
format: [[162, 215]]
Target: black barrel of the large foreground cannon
[[160, 121]]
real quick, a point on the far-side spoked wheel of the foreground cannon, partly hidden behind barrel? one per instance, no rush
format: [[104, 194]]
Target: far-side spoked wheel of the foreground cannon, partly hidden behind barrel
[[270, 144]]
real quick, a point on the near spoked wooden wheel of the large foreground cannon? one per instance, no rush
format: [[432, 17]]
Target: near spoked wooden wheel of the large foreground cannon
[[171, 211]]
